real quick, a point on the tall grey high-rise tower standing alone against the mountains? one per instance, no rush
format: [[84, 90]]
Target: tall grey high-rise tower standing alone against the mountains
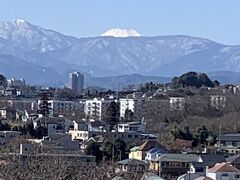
[[76, 82]]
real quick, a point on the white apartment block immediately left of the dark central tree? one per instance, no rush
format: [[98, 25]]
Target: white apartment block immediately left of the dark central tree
[[96, 108]]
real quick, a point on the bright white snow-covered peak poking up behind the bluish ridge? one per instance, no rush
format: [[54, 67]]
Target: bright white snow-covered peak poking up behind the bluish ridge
[[118, 32]]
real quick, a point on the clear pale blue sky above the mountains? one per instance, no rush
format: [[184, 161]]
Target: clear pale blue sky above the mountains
[[218, 20]]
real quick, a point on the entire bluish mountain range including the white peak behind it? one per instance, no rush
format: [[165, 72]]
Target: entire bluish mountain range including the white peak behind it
[[43, 56]]
